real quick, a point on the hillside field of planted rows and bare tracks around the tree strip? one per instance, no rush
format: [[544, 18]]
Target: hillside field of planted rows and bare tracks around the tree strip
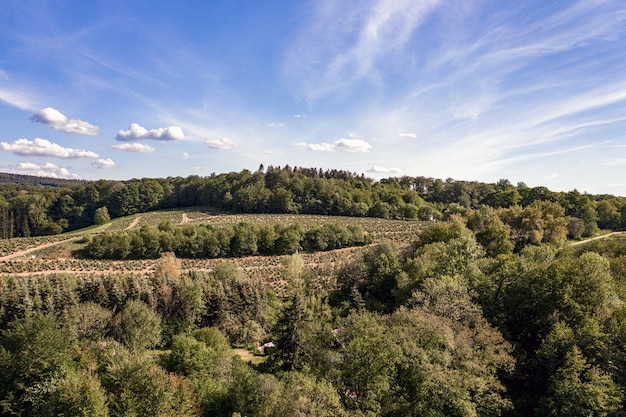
[[61, 253]]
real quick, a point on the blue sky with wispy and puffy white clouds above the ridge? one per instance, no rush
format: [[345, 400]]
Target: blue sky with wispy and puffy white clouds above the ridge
[[475, 90]]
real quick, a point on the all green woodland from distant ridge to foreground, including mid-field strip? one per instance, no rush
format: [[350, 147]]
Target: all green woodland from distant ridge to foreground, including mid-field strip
[[498, 307]]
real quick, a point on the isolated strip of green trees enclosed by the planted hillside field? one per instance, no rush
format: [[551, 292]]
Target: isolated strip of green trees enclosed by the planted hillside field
[[206, 241]]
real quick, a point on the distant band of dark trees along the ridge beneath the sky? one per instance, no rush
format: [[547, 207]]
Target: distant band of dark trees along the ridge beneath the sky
[[34, 210]]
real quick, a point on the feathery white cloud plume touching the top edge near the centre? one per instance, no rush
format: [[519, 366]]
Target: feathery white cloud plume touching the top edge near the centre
[[344, 43]]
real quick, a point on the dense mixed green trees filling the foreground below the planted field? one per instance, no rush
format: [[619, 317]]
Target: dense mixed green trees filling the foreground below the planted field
[[441, 328]]
